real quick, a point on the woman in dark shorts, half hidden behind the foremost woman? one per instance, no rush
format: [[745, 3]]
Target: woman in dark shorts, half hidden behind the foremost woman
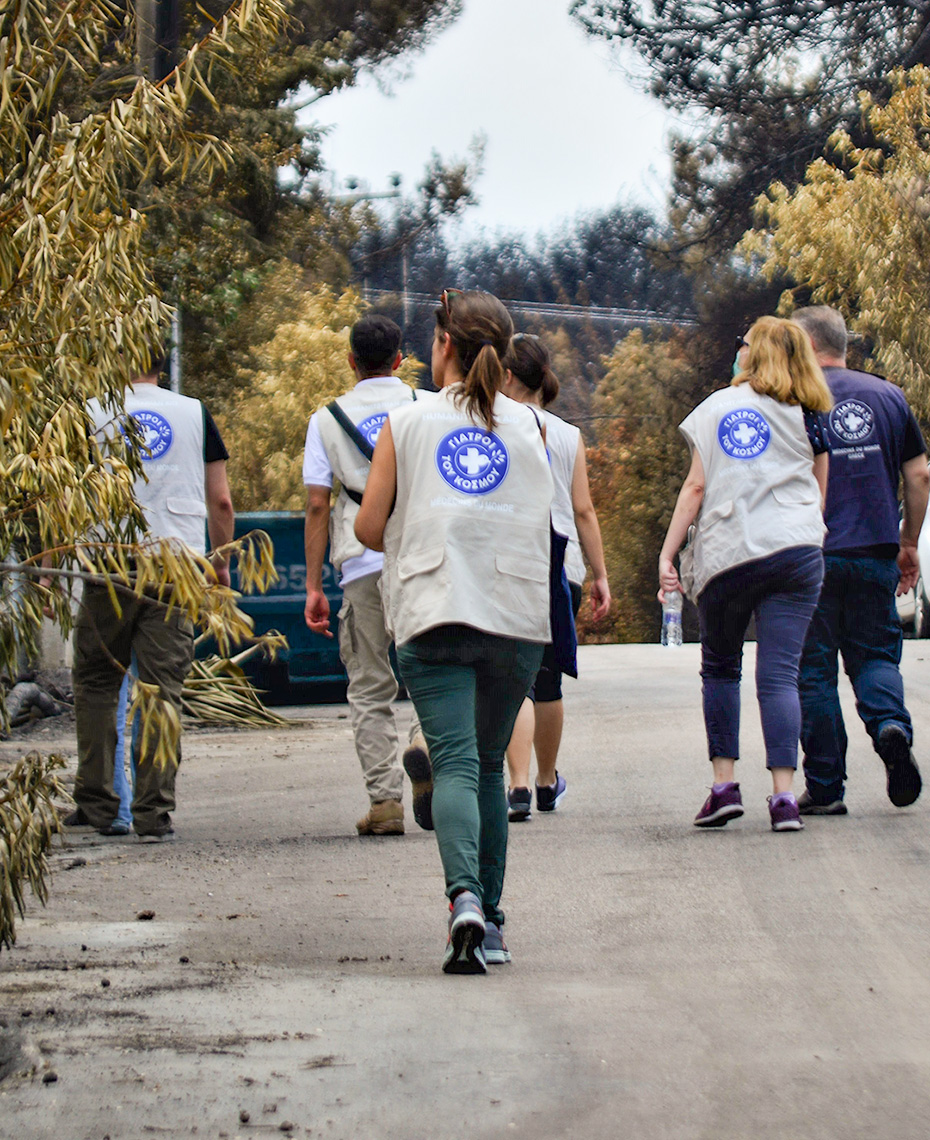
[[532, 380]]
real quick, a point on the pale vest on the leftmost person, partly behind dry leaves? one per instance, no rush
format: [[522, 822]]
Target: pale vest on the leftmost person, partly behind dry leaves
[[174, 488]]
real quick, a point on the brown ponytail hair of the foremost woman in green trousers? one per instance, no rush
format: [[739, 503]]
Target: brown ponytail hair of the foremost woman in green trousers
[[480, 330]]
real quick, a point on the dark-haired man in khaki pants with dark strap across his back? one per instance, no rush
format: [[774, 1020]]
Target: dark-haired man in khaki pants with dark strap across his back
[[339, 442]]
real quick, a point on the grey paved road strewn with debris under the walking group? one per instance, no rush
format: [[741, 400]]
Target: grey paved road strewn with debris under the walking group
[[667, 983]]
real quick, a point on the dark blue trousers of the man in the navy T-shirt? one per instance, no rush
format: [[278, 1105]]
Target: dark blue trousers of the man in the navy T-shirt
[[856, 617]]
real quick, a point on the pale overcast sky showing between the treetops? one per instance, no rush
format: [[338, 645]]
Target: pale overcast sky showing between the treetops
[[566, 132]]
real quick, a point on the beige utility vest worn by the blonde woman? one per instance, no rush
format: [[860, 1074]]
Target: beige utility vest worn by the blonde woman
[[761, 495]]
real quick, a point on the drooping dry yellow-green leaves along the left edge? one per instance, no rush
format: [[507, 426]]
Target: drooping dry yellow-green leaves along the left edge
[[80, 313]]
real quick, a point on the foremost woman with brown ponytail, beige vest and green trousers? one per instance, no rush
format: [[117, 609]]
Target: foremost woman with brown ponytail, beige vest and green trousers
[[459, 499]]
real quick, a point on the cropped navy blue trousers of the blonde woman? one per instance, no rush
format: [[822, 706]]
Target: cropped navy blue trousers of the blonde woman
[[781, 592]]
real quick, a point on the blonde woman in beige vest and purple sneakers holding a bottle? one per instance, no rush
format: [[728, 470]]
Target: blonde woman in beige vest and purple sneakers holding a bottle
[[756, 490]]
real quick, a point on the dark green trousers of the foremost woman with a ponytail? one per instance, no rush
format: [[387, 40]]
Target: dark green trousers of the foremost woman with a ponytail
[[468, 687]]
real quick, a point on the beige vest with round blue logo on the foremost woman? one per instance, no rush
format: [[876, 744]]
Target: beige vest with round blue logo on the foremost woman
[[469, 540]]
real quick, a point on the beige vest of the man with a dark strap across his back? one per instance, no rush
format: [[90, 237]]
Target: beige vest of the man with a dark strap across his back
[[368, 408]]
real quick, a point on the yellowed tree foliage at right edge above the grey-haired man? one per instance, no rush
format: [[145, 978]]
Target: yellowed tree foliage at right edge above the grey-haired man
[[859, 238]]
